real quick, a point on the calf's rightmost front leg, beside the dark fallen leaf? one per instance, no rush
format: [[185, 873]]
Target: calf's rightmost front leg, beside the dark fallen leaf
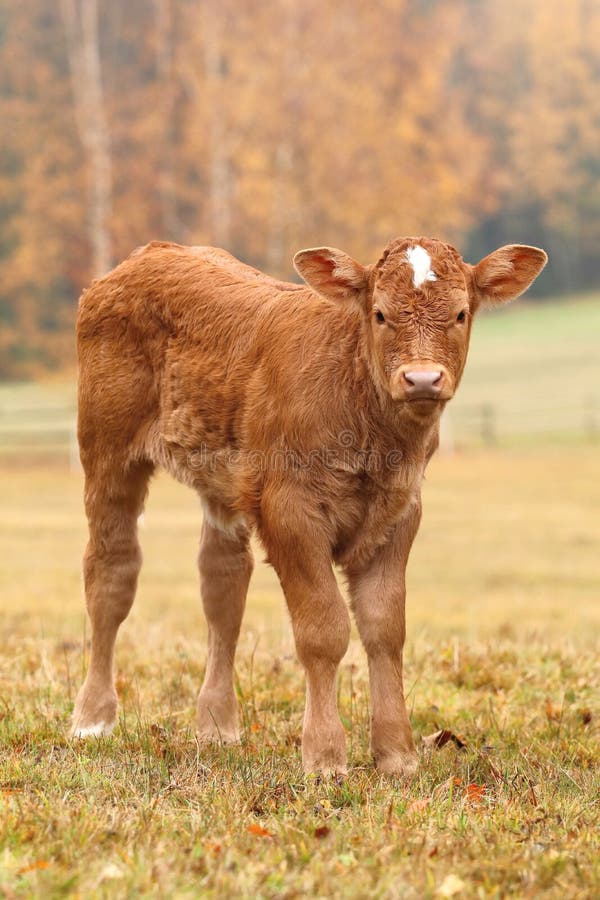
[[377, 591]]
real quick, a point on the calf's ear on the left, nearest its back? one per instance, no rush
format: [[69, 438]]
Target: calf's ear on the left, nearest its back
[[331, 273]]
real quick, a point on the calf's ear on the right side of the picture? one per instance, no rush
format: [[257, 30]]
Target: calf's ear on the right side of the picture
[[506, 273]]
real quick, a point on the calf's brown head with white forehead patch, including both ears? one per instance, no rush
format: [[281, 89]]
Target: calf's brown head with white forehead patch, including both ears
[[418, 304]]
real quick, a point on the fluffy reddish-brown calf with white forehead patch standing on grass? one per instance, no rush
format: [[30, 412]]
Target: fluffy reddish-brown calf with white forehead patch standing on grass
[[305, 413]]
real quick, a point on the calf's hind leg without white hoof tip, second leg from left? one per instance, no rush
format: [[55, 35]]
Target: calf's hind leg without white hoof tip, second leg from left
[[225, 563]]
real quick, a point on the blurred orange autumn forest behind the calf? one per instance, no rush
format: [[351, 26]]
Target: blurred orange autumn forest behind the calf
[[267, 126]]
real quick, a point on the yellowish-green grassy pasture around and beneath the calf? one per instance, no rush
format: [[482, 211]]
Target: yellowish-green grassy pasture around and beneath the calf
[[502, 652]]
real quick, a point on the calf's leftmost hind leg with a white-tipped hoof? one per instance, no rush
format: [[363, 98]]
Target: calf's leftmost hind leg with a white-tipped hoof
[[111, 565]]
